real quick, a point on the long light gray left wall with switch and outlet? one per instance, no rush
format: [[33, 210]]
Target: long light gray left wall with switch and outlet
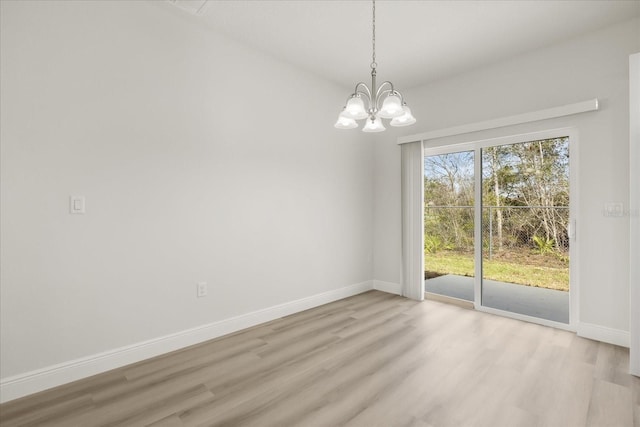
[[200, 160]]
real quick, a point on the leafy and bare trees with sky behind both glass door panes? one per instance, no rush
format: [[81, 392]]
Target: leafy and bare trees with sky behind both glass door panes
[[525, 189]]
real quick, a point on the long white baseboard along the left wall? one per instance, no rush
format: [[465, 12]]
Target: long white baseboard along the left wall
[[32, 382]]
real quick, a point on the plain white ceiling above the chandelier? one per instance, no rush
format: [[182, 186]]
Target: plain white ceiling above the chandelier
[[416, 41]]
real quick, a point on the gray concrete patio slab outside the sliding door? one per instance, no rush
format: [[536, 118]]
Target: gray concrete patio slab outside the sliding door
[[528, 300]]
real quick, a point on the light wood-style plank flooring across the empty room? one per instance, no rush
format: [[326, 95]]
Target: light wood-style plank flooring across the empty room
[[374, 359]]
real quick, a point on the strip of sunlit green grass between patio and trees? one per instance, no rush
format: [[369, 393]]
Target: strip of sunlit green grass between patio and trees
[[533, 273]]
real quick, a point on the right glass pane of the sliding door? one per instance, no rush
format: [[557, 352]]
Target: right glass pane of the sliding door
[[525, 217]]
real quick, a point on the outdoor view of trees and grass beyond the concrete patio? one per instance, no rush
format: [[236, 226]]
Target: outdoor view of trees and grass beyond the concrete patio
[[525, 213]]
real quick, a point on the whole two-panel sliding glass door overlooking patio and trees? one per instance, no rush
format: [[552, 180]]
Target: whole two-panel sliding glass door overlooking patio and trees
[[497, 222]]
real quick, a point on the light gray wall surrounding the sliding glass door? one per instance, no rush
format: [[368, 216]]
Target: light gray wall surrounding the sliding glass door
[[592, 66]]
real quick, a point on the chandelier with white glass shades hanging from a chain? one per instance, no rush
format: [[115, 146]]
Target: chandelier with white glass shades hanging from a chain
[[365, 102]]
